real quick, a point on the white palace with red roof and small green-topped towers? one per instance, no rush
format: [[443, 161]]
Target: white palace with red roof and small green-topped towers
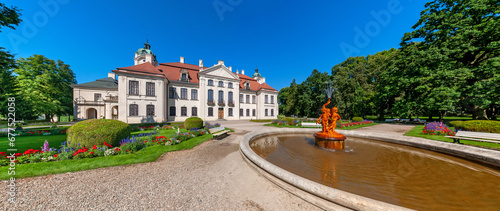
[[170, 92]]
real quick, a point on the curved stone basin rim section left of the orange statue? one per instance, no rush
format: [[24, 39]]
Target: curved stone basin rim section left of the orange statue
[[333, 195]]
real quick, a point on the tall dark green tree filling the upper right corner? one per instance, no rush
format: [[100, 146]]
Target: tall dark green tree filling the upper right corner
[[465, 36]]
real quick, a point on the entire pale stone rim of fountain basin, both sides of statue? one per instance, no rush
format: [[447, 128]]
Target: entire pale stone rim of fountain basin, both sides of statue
[[317, 194]]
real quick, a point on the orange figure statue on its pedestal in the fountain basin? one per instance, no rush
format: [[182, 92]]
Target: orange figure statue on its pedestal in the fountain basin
[[328, 138]]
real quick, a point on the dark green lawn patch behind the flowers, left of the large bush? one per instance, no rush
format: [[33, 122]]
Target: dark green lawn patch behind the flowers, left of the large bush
[[24, 143]]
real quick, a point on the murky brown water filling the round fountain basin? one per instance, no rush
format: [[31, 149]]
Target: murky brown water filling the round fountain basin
[[400, 175]]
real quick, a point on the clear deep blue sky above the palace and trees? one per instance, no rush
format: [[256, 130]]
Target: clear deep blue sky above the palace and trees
[[283, 39]]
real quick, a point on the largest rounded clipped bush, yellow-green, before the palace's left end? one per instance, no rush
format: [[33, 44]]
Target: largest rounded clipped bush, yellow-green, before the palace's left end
[[97, 131]]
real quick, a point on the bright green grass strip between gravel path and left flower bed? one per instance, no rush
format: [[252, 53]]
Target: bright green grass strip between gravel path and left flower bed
[[149, 154]]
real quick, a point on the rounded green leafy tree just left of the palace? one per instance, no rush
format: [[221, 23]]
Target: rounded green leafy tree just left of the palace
[[45, 84]]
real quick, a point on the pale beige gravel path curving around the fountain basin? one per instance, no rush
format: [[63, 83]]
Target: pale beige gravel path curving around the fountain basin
[[212, 176]]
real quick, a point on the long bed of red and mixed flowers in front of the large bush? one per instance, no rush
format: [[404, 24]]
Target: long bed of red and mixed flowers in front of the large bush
[[127, 146]]
